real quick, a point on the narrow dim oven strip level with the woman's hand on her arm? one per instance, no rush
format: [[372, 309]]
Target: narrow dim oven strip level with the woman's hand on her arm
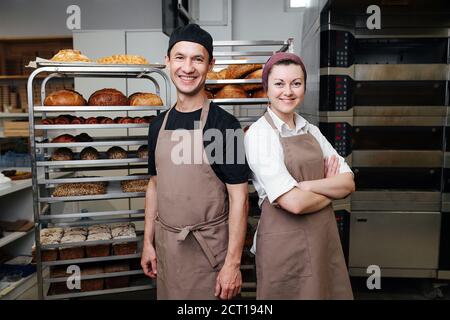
[[397, 158]]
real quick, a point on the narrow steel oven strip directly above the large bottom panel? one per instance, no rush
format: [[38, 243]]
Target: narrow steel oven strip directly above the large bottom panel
[[379, 200]]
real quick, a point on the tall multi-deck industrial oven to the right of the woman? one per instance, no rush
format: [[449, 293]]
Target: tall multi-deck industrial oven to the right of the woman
[[381, 98]]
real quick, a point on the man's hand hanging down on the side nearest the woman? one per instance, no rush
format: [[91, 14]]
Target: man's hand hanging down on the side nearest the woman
[[228, 282]]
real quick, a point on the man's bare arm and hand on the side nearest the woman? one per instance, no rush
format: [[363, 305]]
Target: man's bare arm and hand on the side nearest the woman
[[229, 279]]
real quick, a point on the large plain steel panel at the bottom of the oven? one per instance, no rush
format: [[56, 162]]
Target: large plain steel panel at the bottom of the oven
[[407, 240]]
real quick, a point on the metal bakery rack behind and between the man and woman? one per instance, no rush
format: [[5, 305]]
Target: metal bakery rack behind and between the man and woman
[[247, 111]]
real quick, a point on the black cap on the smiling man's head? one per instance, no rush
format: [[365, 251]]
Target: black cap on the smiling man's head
[[192, 33]]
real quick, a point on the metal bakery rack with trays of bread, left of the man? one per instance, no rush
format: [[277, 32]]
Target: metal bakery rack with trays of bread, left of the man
[[45, 214]]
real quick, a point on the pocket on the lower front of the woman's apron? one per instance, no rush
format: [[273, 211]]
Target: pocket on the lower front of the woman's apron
[[284, 256]]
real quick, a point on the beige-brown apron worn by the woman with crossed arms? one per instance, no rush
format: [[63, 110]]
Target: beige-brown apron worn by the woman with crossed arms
[[300, 256]]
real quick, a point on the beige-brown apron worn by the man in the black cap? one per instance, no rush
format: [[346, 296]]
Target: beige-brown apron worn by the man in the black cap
[[191, 231]]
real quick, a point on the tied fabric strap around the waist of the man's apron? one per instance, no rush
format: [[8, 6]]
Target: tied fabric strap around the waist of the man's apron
[[196, 232]]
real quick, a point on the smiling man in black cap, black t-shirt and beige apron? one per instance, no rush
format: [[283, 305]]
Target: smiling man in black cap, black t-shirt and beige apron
[[196, 207]]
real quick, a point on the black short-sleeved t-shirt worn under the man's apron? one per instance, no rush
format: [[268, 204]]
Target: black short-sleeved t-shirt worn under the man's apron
[[231, 172]]
